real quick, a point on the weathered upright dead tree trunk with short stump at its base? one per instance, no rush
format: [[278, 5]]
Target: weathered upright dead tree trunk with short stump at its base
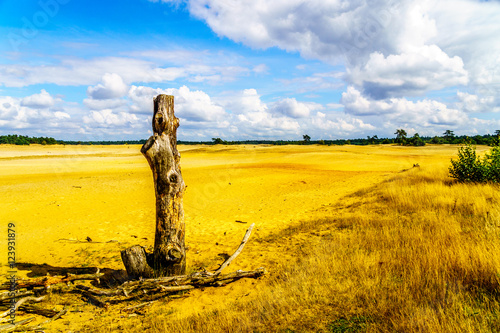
[[169, 256]]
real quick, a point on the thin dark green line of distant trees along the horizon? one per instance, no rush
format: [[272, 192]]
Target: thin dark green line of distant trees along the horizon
[[401, 138]]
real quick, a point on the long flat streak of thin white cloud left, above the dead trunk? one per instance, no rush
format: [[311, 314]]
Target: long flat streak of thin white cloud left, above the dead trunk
[[77, 71]]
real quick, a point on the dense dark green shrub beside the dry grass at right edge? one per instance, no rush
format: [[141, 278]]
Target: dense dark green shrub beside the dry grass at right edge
[[470, 168]]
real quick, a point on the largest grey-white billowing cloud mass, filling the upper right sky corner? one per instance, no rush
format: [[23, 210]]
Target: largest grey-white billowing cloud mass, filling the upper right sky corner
[[391, 48]]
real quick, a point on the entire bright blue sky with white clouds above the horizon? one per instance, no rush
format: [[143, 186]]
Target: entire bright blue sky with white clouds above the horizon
[[241, 69]]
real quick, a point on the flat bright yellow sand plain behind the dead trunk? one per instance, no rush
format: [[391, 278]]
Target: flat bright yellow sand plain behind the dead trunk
[[56, 195]]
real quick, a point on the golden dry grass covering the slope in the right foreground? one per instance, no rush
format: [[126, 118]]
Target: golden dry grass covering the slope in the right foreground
[[416, 254]]
